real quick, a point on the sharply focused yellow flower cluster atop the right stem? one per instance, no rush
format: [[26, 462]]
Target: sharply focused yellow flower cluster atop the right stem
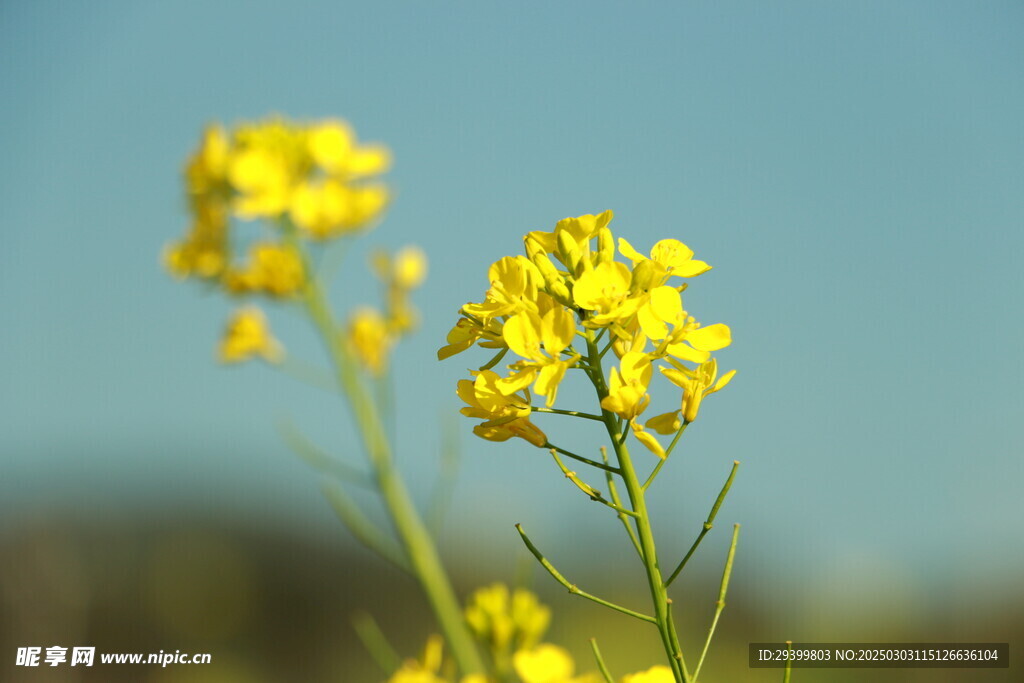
[[571, 289]]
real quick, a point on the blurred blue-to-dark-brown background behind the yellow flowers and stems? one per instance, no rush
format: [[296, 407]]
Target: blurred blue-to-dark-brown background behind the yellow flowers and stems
[[852, 172]]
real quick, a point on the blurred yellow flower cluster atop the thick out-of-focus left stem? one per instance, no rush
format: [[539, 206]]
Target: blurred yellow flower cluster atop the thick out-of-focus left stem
[[307, 184]]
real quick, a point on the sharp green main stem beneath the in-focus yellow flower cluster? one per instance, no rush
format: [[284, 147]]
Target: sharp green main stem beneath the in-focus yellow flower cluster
[[635, 491]]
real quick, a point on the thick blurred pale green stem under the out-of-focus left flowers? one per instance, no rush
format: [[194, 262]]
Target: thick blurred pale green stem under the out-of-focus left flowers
[[423, 557]]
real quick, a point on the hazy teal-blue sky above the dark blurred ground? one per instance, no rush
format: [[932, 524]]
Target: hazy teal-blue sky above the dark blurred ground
[[852, 172]]
